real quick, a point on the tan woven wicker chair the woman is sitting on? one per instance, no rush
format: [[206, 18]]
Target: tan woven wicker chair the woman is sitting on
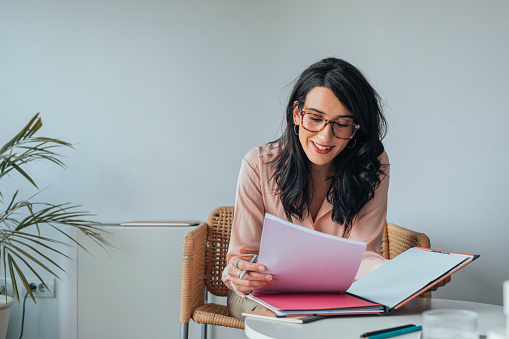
[[204, 258]]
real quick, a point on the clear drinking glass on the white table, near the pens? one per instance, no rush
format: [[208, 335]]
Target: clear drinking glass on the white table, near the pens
[[449, 324]]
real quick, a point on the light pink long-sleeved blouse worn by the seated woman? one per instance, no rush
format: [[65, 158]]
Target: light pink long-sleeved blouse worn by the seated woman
[[256, 195]]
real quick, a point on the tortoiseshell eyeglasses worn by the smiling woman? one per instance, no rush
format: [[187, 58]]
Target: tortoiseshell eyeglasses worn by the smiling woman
[[314, 122]]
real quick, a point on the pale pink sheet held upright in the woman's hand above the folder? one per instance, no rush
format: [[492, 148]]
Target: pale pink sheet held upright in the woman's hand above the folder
[[304, 260]]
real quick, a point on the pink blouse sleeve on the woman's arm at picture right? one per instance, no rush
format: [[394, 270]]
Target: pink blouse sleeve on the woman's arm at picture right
[[370, 223]]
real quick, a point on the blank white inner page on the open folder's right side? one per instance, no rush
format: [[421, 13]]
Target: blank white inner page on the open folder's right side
[[404, 275]]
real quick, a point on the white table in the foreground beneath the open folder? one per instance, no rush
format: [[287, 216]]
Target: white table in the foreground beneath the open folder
[[346, 327]]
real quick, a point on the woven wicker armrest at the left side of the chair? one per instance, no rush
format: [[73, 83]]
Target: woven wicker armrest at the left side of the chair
[[193, 271]]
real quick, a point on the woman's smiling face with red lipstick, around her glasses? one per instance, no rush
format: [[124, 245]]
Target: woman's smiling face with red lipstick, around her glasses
[[322, 147]]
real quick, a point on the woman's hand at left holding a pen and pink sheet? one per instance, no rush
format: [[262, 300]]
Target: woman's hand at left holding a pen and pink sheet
[[252, 280]]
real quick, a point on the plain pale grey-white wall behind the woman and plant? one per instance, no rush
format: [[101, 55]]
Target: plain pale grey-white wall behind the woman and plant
[[163, 98]]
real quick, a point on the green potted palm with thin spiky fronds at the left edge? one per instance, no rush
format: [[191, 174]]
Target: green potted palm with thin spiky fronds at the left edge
[[22, 221]]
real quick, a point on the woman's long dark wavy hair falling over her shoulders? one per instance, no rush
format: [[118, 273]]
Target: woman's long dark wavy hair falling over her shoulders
[[357, 169]]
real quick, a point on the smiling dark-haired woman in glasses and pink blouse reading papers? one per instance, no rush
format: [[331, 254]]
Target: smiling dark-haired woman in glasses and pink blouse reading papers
[[328, 172]]
